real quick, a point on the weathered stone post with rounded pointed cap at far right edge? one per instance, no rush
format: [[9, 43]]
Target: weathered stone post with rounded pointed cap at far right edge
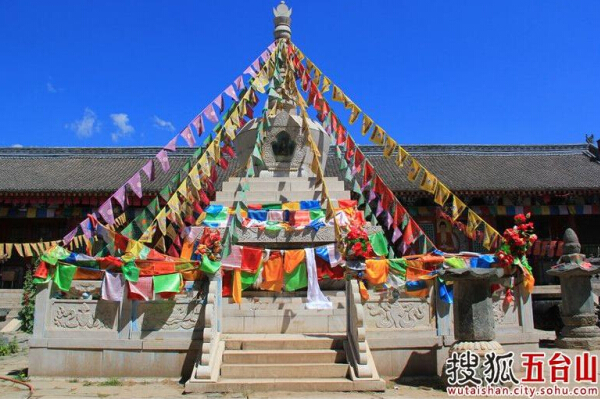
[[577, 301]]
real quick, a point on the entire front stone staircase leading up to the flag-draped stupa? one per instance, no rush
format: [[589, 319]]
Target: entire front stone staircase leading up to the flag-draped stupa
[[271, 342]]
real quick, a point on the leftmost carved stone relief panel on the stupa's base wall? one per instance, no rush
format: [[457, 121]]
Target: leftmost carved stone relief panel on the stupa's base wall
[[79, 315]]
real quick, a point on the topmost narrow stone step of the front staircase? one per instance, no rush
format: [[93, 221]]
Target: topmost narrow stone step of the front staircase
[[283, 341]]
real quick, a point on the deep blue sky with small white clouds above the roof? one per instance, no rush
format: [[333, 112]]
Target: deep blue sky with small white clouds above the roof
[[106, 73]]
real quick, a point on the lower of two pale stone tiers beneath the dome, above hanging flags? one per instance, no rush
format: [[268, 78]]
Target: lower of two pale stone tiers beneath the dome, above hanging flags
[[274, 196]]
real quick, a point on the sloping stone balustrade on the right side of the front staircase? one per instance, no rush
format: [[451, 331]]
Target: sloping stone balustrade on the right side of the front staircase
[[356, 332]]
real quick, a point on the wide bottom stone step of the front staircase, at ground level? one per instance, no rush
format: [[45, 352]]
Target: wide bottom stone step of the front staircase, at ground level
[[286, 384]]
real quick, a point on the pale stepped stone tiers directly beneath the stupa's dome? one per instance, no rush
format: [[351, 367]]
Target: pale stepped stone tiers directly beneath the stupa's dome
[[278, 189]]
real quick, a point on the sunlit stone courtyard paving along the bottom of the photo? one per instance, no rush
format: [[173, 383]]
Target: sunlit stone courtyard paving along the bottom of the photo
[[15, 365]]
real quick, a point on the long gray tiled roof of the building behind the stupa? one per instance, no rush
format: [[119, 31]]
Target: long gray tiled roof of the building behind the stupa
[[463, 168]]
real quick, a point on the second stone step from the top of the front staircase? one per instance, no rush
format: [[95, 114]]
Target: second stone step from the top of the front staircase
[[279, 356]]
